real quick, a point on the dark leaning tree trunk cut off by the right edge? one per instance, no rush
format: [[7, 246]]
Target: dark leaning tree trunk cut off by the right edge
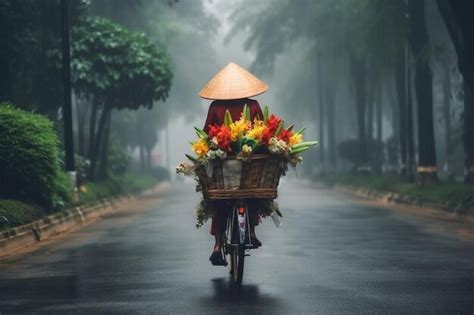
[[457, 15]]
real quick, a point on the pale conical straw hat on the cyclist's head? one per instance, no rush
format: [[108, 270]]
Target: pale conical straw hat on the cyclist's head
[[233, 82]]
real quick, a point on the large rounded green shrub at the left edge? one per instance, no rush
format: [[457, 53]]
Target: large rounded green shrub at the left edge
[[29, 156]]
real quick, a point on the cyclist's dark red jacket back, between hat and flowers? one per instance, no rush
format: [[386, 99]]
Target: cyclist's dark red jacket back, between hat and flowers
[[217, 110]]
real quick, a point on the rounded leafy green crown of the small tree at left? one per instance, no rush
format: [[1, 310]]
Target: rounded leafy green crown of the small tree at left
[[118, 67]]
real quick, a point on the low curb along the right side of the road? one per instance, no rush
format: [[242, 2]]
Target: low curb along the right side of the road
[[400, 199]]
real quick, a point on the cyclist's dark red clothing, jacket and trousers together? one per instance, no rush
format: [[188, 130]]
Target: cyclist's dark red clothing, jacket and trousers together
[[215, 116]]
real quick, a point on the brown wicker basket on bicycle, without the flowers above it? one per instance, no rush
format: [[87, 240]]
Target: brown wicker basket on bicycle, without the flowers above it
[[233, 178]]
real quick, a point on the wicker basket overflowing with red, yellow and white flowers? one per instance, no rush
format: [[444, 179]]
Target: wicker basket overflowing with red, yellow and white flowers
[[243, 159]]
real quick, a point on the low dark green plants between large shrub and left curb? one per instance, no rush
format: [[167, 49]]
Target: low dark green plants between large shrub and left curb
[[14, 213]]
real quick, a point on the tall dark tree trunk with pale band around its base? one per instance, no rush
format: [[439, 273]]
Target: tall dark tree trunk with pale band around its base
[[418, 38]]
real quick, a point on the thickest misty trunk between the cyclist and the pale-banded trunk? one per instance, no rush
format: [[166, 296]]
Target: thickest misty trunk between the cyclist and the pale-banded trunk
[[358, 68]]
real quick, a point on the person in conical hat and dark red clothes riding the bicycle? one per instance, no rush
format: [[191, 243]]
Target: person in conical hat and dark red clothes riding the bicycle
[[230, 89]]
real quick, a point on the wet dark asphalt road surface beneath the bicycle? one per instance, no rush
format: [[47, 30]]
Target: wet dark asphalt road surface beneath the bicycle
[[331, 256]]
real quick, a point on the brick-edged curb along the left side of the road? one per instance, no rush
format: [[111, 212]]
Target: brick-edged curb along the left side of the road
[[40, 230]]
